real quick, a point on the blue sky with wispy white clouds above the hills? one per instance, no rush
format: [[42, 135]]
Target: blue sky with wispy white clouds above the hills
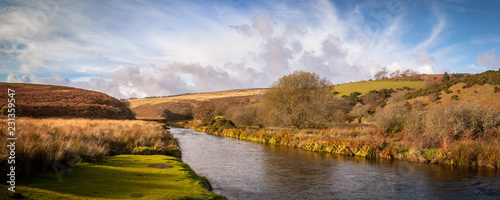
[[156, 48]]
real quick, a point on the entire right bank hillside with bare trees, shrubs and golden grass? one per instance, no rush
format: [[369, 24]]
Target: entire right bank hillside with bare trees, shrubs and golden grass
[[446, 119]]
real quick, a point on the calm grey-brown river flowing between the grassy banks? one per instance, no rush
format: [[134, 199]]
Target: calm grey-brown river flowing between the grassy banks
[[246, 170]]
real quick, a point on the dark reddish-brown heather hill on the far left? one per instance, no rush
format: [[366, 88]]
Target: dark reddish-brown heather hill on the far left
[[43, 101]]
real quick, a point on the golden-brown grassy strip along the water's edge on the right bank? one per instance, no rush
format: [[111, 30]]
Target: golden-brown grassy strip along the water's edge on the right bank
[[365, 140]]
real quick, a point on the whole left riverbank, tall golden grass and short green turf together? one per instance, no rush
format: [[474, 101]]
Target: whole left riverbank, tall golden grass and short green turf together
[[87, 156]]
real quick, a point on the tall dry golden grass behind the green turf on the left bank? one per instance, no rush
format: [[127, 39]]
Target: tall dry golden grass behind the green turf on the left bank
[[42, 142]]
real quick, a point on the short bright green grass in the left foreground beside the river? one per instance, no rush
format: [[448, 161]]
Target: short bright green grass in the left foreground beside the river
[[120, 177]]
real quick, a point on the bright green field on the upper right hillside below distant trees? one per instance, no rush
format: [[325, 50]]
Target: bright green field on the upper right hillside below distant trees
[[367, 86]]
